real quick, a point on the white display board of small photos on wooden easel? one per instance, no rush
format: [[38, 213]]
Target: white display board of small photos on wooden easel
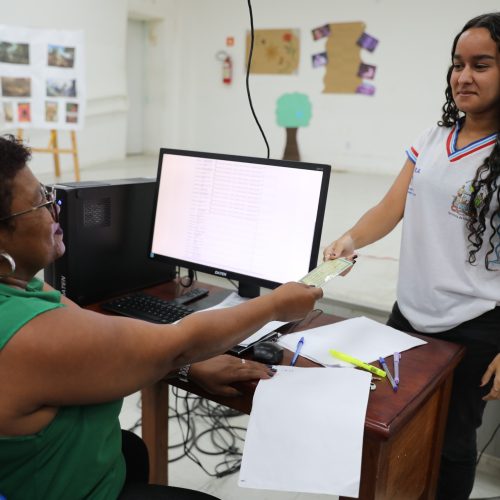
[[41, 78]]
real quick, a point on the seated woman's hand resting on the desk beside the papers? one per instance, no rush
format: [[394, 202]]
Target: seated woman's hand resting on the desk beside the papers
[[216, 374]]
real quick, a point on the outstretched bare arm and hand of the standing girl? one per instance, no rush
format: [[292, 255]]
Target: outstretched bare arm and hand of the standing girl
[[376, 222]]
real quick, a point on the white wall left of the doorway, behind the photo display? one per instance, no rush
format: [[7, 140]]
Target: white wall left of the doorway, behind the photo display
[[104, 24]]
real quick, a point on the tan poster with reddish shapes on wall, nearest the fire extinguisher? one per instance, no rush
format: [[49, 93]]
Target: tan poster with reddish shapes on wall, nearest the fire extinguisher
[[275, 51]]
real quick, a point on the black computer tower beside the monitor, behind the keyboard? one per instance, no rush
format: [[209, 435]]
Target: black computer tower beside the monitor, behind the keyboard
[[107, 228]]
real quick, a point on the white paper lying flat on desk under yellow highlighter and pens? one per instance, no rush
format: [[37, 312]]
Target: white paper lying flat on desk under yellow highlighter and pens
[[361, 338]]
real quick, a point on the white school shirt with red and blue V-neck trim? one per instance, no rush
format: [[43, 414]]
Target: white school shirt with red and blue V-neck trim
[[437, 288]]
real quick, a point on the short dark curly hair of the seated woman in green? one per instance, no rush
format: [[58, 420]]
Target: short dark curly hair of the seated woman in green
[[13, 157]]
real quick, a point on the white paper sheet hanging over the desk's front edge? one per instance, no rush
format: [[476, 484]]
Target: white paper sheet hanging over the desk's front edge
[[305, 432]]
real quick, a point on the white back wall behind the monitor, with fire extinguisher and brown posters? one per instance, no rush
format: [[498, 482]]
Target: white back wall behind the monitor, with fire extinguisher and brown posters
[[350, 131]]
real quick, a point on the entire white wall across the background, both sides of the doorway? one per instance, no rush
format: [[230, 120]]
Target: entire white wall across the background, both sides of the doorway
[[187, 105]]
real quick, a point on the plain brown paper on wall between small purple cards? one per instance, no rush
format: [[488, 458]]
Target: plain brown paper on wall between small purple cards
[[344, 58]]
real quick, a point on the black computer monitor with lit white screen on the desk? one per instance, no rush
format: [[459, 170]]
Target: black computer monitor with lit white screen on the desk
[[254, 220]]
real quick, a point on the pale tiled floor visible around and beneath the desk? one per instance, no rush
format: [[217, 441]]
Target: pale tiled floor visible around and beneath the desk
[[370, 290]]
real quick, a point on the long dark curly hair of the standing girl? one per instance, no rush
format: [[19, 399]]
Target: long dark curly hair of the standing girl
[[485, 185]]
